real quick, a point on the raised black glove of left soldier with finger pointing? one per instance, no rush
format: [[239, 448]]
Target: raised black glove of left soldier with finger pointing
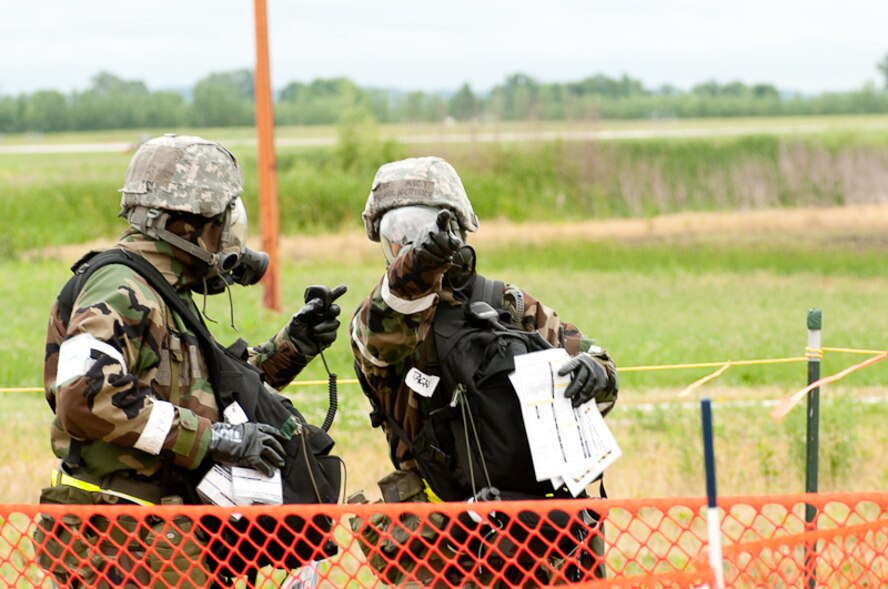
[[313, 328]]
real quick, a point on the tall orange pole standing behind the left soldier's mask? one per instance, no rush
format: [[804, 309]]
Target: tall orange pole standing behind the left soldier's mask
[[267, 164]]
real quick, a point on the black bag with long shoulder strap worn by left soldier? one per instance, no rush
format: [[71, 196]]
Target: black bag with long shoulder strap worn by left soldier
[[311, 474]]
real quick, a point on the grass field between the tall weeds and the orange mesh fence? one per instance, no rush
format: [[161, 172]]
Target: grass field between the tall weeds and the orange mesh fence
[[651, 301]]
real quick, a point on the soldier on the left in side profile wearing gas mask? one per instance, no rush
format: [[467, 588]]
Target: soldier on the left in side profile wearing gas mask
[[127, 381]]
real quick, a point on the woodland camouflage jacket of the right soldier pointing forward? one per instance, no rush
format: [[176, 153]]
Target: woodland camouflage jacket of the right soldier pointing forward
[[391, 333]]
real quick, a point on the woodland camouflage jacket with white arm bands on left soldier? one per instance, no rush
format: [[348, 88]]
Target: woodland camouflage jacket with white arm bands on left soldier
[[127, 379]]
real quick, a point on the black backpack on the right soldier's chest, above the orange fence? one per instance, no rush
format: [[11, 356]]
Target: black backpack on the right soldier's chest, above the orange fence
[[473, 433]]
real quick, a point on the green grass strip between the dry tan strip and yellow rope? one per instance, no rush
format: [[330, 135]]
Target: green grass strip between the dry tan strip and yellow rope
[[650, 304]]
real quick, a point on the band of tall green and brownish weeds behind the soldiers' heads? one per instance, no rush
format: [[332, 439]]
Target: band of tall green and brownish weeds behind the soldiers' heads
[[54, 200]]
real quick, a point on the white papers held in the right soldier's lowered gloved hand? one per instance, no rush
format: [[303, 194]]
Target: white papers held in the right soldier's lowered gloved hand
[[569, 446]]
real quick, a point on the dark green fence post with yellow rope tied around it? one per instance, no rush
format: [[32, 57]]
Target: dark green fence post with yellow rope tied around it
[[812, 445]]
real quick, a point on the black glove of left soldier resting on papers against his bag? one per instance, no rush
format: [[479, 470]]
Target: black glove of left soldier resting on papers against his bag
[[255, 445]]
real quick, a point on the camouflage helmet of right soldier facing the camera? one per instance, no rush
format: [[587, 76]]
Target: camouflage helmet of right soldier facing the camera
[[429, 181]]
